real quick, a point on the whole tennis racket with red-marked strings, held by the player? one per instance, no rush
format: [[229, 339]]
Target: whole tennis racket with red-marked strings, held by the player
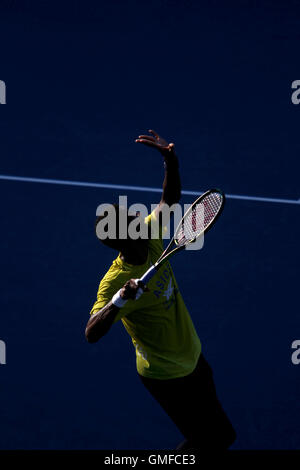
[[197, 220]]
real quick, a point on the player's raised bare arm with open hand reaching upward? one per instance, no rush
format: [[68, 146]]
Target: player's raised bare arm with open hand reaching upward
[[172, 185]]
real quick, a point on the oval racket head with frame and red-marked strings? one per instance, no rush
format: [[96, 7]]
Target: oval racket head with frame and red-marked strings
[[200, 217]]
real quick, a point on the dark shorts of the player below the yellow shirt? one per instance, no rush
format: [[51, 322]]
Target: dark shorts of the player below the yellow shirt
[[192, 404]]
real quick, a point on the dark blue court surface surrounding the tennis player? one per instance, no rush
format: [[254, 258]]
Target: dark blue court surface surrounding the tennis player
[[83, 80]]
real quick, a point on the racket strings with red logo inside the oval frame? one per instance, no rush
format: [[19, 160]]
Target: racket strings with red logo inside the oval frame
[[199, 218]]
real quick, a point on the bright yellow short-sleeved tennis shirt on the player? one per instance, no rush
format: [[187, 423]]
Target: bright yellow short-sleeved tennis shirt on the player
[[166, 343]]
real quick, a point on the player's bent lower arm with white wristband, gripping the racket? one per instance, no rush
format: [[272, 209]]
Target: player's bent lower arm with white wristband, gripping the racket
[[100, 322]]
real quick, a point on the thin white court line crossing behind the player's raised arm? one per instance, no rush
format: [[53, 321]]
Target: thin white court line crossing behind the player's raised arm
[[139, 188]]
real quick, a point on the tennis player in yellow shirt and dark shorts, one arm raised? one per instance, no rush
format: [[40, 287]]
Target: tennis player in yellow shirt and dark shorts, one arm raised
[[169, 359]]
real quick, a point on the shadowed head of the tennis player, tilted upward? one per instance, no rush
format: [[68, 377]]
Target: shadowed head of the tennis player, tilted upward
[[113, 240]]
